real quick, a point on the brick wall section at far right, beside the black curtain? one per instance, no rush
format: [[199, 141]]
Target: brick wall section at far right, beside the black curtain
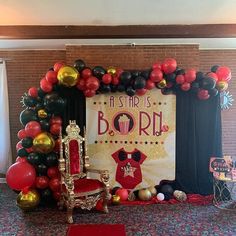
[[227, 58]]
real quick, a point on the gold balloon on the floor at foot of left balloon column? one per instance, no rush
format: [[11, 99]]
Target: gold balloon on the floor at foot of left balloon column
[[28, 201]]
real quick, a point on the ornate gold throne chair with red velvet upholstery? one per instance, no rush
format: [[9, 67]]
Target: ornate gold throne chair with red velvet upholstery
[[77, 189]]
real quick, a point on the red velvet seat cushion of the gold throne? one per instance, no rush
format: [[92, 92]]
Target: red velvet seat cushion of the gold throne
[[87, 185]]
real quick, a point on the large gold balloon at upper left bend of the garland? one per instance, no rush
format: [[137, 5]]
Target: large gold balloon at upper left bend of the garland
[[68, 76]]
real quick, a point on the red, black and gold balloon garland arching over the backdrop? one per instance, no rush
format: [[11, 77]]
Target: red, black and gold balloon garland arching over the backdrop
[[35, 171]]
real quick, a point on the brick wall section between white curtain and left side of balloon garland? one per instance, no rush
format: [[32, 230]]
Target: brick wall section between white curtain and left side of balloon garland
[[25, 70]]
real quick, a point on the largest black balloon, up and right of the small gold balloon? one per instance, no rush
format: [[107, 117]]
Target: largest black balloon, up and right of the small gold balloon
[[54, 103]]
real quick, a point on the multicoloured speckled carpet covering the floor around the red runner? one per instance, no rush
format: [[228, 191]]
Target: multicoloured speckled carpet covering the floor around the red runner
[[150, 220]]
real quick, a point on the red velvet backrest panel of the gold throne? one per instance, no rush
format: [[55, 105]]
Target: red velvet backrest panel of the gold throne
[[74, 157]]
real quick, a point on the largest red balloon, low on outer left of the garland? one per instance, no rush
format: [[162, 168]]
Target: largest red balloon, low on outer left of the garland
[[20, 175]]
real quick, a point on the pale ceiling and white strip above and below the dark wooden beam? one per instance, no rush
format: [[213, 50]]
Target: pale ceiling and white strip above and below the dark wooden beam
[[111, 12]]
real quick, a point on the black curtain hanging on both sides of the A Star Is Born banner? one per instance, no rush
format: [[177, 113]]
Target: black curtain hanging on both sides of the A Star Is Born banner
[[198, 136]]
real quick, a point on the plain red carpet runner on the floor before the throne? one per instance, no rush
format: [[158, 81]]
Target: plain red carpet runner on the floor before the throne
[[96, 229]]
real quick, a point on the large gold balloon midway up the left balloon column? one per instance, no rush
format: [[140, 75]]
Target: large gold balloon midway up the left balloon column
[[43, 143]]
